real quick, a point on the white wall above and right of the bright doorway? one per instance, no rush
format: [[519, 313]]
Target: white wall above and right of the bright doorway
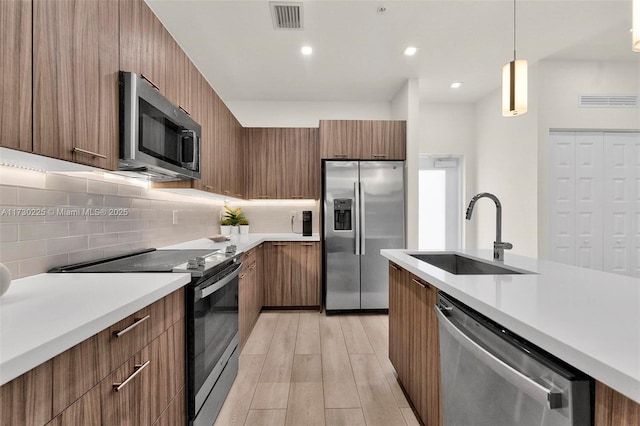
[[450, 129]]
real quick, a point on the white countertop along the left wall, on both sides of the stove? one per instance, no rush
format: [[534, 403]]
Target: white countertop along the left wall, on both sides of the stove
[[43, 315]]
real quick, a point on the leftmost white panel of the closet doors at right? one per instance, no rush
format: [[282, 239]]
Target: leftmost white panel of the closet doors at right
[[562, 197]]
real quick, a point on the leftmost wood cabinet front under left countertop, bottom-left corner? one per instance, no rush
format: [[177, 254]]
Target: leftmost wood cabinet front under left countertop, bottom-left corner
[[26, 400]]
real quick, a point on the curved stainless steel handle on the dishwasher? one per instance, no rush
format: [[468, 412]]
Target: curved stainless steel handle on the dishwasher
[[552, 398]]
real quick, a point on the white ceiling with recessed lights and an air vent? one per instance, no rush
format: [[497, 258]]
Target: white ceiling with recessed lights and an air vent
[[358, 52]]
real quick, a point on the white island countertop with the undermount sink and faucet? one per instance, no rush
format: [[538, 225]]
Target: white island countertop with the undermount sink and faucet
[[588, 318]]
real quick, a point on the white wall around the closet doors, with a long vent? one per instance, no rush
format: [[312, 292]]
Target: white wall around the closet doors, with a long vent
[[561, 84]]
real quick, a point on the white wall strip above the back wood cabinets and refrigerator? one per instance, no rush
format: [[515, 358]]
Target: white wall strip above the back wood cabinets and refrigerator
[[305, 114]]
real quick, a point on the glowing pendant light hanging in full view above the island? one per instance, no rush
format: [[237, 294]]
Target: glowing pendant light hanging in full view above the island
[[514, 81]]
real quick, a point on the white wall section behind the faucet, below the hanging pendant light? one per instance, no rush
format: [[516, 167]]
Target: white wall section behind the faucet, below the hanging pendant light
[[507, 166]]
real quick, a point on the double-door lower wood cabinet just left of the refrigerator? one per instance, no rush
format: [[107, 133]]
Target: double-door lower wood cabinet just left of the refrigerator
[[292, 274]]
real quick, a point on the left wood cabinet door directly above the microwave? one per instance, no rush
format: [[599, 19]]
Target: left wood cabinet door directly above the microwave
[[143, 42]]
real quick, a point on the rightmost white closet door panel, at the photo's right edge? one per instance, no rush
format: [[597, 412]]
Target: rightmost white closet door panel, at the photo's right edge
[[622, 203]]
